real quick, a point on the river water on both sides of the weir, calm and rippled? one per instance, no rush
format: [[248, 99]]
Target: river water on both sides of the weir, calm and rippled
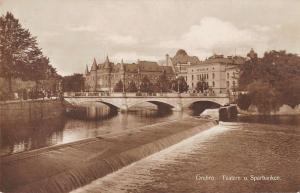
[[254, 154]]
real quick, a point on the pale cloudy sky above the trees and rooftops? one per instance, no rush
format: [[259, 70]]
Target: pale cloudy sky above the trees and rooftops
[[73, 32]]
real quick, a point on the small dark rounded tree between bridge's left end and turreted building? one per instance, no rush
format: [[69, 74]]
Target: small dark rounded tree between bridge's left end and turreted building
[[73, 83]]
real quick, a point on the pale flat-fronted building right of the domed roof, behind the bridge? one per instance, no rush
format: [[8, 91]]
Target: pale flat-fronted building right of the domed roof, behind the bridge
[[219, 73]]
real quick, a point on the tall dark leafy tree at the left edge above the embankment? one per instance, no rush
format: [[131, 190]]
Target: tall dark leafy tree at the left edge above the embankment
[[19, 53]]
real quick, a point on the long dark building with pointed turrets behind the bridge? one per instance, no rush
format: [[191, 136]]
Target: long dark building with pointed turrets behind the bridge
[[104, 76]]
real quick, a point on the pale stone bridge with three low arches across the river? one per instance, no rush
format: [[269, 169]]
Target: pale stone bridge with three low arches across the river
[[124, 101]]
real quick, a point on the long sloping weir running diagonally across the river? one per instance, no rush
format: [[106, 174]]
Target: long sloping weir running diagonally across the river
[[66, 167]]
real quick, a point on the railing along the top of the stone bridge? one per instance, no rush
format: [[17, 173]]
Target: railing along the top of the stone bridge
[[120, 94]]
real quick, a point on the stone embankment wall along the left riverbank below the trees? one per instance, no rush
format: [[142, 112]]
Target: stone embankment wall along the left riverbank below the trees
[[24, 111]]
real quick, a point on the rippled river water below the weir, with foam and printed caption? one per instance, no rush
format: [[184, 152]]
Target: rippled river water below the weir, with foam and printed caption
[[256, 154]]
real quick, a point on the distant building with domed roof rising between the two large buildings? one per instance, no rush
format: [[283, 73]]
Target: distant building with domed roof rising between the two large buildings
[[180, 62]]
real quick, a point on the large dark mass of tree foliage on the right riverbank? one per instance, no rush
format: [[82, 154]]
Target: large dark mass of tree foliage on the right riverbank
[[272, 80]]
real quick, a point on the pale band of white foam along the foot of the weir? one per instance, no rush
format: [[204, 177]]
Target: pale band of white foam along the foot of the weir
[[137, 172]]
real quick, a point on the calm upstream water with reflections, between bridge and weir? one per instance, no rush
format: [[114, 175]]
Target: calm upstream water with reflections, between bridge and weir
[[23, 137]]
